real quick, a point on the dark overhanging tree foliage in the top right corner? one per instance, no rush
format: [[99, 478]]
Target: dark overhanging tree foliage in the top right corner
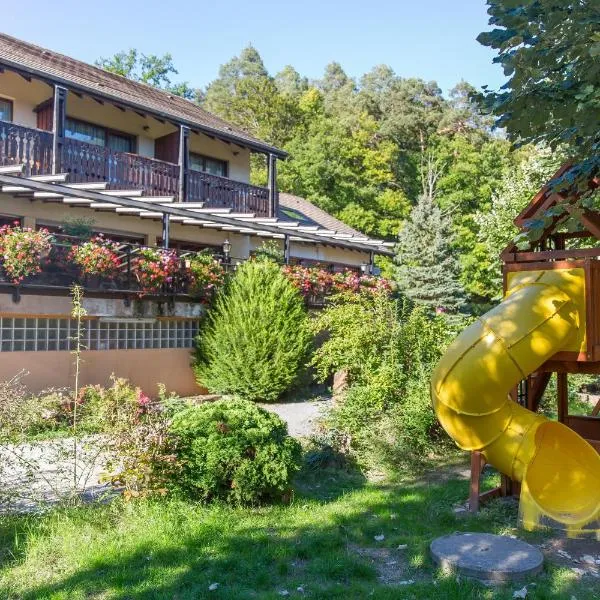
[[549, 49]]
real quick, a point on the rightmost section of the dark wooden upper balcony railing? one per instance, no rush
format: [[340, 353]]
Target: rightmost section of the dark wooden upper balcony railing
[[220, 192]]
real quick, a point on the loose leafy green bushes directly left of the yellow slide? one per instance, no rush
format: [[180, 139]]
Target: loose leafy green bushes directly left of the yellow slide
[[389, 351]]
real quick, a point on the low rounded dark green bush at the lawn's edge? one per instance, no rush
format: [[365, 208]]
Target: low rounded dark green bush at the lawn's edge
[[235, 451]]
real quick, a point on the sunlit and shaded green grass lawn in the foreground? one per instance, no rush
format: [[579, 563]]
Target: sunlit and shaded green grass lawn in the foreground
[[322, 546]]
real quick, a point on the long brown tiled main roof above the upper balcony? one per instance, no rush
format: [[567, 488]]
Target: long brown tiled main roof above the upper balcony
[[81, 76]]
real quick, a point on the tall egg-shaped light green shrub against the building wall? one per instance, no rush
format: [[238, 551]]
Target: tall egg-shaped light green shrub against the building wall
[[256, 338]]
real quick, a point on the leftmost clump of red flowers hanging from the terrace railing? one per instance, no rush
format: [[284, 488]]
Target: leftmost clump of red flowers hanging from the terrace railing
[[22, 250]]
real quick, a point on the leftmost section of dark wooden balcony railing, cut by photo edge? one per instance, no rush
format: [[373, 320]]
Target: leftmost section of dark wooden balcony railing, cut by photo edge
[[25, 145]]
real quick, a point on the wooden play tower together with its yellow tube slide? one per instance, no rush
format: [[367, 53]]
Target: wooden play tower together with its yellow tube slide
[[487, 388]]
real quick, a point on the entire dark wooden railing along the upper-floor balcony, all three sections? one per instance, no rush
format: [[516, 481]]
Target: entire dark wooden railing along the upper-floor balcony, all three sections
[[122, 170]]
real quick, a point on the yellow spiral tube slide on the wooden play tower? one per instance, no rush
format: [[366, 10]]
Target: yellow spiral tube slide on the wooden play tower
[[543, 313]]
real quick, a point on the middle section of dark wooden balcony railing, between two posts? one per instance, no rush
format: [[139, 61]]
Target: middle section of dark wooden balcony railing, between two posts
[[87, 162]]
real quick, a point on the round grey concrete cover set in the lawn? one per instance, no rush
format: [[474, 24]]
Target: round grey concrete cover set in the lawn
[[487, 557]]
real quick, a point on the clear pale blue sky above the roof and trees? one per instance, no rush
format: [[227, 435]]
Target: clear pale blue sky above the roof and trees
[[432, 39]]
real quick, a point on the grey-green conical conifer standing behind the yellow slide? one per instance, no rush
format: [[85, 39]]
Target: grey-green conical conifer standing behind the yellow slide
[[427, 271]]
